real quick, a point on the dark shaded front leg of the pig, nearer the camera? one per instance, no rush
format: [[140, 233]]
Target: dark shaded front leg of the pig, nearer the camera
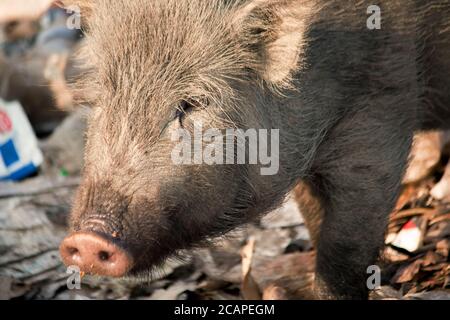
[[359, 169]]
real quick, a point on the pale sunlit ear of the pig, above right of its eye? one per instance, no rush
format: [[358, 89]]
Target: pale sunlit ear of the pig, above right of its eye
[[275, 31]]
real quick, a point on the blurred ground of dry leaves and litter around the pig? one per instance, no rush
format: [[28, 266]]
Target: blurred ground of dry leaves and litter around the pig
[[41, 156]]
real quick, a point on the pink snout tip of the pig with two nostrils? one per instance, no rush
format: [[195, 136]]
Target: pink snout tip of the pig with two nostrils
[[95, 254]]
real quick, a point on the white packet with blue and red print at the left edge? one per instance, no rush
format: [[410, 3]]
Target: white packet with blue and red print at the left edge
[[19, 152]]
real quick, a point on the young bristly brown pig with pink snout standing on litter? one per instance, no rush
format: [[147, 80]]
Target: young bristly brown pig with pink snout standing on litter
[[346, 97]]
